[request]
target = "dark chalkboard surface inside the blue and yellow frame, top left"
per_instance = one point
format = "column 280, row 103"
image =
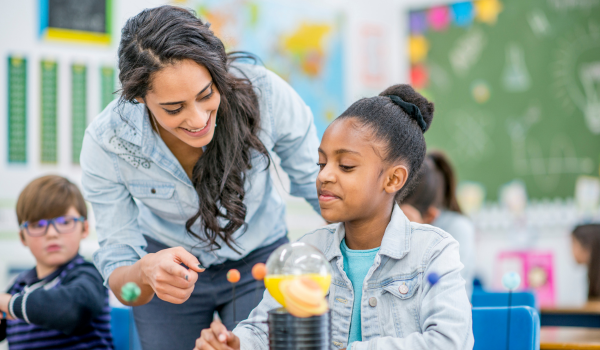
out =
column 82, row 15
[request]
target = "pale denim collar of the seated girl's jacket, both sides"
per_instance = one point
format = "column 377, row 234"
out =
column 395, row 243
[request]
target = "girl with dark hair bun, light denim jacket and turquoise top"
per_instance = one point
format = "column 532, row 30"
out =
column 379, row 297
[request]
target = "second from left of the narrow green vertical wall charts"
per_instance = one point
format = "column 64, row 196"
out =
column 48, row 106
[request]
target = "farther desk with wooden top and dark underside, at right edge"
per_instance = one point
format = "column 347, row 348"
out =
column 587, row 315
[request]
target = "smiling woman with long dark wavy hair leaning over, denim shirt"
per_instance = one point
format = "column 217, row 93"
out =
column 177, row 174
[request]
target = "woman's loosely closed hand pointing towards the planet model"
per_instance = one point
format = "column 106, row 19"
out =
column 170, row 281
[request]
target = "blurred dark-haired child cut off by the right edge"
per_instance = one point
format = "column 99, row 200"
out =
column 586, row 251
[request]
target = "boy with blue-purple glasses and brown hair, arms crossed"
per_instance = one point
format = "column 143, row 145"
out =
column 61, row 303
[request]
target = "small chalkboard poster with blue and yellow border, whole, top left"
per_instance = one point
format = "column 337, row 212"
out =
column 83, row 21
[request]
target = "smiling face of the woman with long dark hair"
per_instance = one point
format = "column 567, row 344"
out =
column 184, row 102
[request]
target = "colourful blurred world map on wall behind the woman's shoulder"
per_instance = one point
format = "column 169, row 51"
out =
column 303, row 45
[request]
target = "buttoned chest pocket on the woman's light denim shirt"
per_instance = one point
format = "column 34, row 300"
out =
column 159, row 197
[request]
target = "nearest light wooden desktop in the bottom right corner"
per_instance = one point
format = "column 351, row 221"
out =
column 569, row 338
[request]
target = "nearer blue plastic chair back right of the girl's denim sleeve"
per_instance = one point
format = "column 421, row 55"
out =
column 490, row 328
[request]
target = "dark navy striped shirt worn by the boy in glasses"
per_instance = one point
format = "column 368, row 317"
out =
column 66, row 310
